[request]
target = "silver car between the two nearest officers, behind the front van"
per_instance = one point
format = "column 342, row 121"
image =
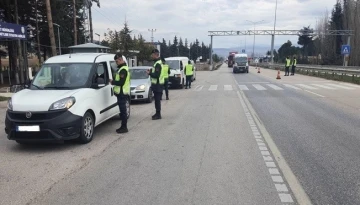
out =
column 140, row 84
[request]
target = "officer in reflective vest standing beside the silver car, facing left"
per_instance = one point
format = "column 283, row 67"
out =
column 157, row 82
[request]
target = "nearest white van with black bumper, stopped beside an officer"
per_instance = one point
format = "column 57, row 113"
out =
column 68, row 97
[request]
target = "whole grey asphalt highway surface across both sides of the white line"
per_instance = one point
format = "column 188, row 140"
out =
column 230, row 139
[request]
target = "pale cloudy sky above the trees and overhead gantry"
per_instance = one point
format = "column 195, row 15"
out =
column 193, row 19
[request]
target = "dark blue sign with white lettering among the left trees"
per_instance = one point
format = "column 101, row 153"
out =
column 12, row 31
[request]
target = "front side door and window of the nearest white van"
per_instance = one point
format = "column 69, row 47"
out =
column 105, row 92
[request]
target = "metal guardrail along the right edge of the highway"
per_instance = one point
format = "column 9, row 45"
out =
column 346, row 74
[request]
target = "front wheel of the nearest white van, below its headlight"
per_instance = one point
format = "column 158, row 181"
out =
column 87, row 128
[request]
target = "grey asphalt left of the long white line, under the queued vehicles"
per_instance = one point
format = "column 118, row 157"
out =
column 205, row 150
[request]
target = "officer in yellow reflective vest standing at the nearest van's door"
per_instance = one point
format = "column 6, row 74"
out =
column 121, row 84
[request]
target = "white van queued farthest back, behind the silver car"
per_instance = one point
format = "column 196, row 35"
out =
column 177, row 77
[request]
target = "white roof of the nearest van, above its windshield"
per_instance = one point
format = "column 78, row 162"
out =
column 77, row 58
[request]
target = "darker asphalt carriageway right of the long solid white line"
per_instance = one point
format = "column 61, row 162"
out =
column 316, row 128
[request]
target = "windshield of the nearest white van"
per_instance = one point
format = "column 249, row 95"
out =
column 62, row 76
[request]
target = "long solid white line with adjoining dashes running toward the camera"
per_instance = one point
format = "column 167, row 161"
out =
column 294, row 184
